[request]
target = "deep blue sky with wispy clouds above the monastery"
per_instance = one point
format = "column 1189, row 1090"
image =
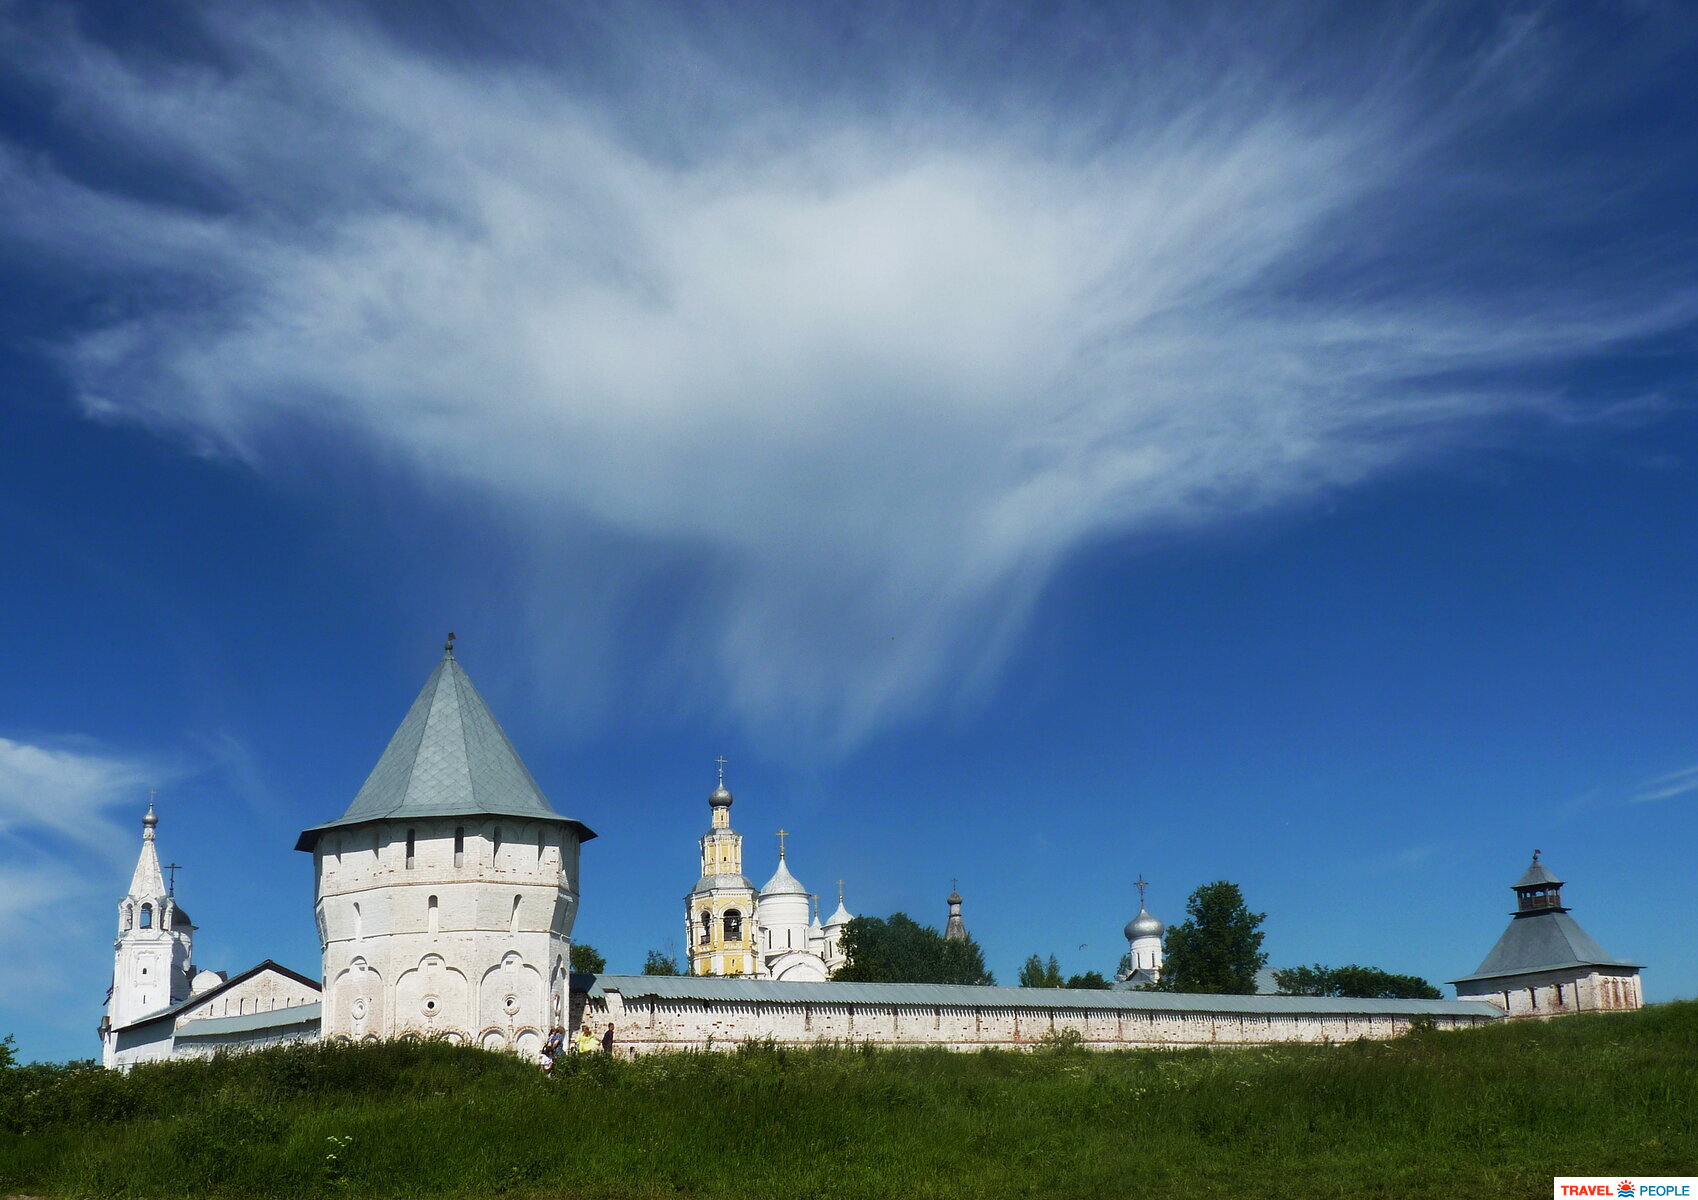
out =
column 1032, row 449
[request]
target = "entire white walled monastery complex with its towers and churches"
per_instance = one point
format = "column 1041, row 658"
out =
column 446, row 899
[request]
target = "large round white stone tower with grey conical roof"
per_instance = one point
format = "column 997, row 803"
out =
column 449, row 889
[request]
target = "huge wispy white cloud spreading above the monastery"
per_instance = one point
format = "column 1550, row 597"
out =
column 874, row 362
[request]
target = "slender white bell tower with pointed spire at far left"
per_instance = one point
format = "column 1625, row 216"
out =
column 154, row 950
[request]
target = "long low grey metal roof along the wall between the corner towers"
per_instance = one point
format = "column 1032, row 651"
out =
column 945, row 995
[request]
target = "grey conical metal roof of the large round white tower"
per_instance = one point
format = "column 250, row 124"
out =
column 449, row 760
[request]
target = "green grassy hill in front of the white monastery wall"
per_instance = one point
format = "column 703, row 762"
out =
column 1492, row 1113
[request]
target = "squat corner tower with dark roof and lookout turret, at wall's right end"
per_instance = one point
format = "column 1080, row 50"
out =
column 1546, row 965
